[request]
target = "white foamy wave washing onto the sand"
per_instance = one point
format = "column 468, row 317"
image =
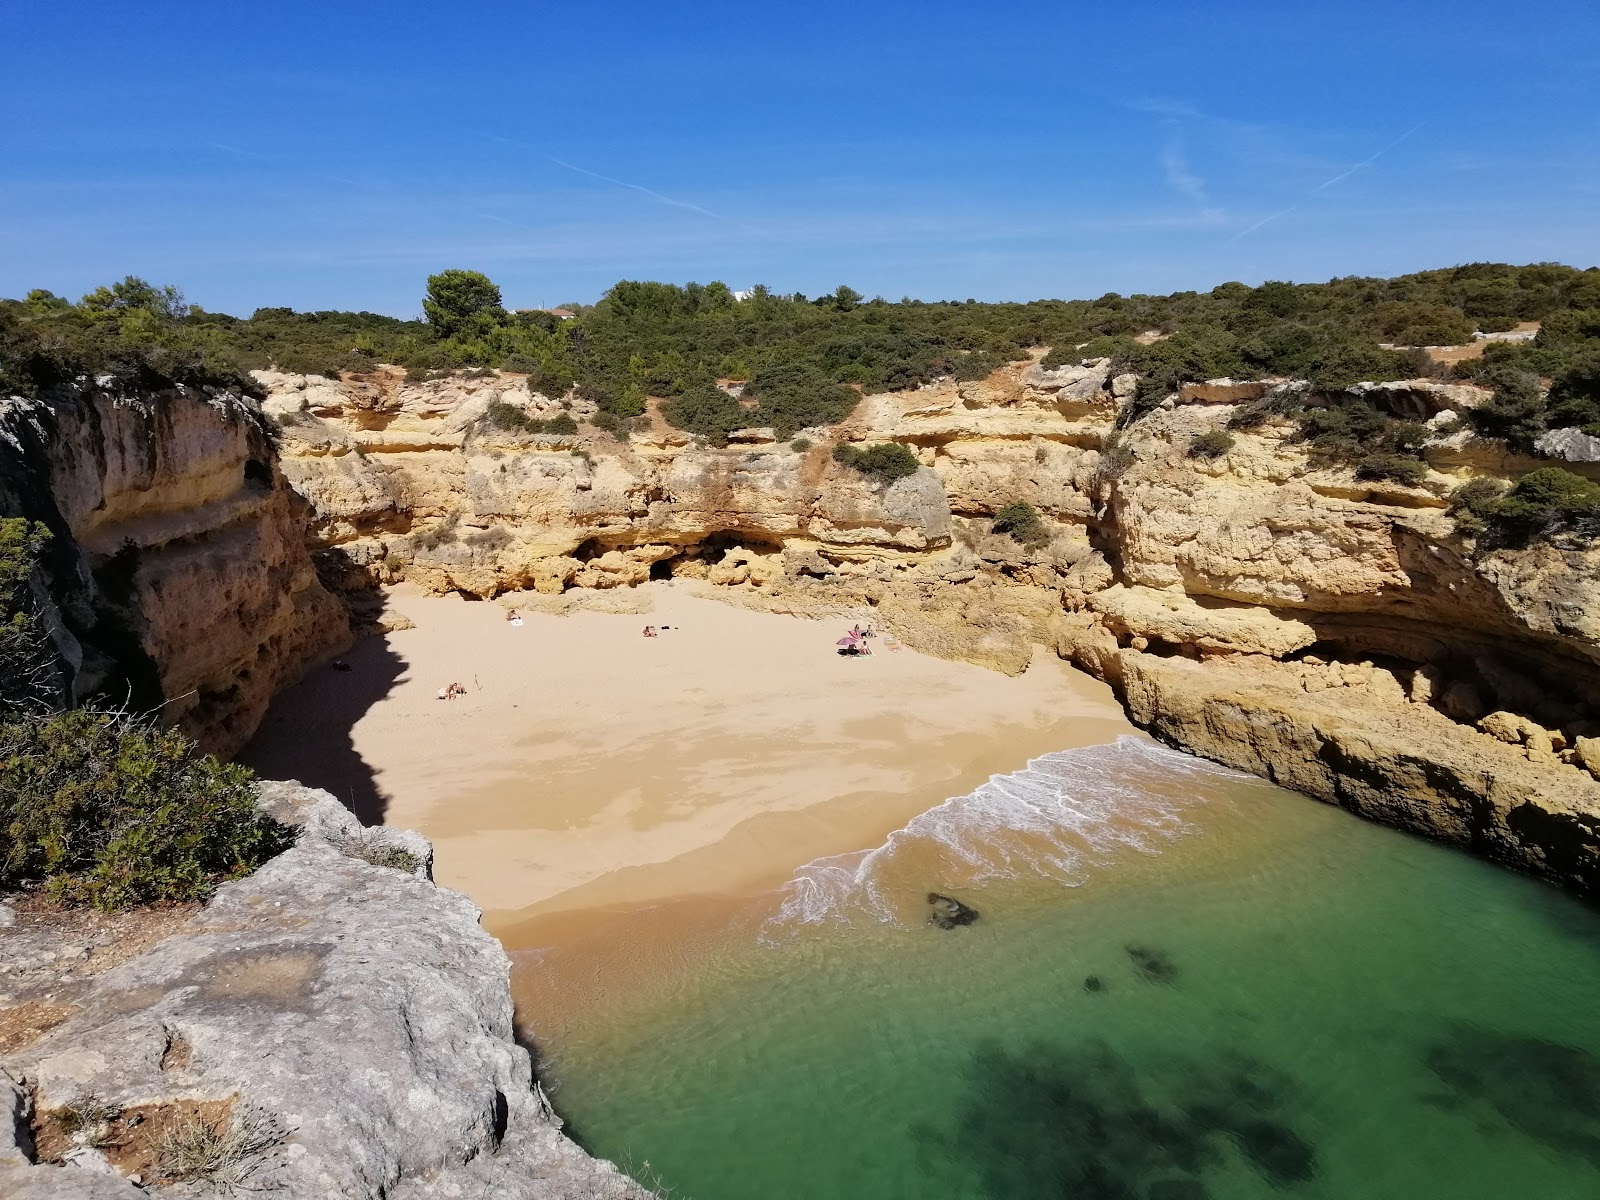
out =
column 1055, row 818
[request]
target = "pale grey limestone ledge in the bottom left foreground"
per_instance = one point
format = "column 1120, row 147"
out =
column 351, row 1017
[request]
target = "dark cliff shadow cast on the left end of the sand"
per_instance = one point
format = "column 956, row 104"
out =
column 318, row 746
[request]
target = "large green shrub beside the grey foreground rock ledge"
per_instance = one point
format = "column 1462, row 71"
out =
column 111, row 812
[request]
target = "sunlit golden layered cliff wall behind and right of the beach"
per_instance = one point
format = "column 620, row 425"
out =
column 1262, row 609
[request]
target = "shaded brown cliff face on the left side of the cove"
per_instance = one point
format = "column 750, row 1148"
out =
column 178, row 570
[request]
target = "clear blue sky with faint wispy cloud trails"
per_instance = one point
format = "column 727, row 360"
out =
column 330, row 156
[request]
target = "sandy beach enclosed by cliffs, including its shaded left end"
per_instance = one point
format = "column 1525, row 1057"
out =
column 590, row 769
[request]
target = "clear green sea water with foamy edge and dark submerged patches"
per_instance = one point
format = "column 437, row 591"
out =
column 1185, row 985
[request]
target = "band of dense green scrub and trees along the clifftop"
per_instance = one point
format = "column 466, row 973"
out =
column 806, row 362
